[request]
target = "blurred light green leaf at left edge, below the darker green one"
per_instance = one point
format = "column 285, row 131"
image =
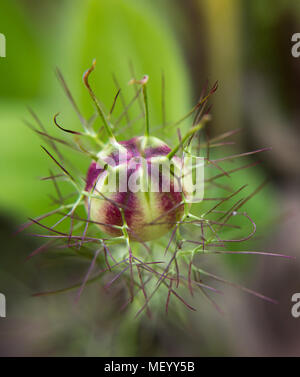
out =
column 21, row 164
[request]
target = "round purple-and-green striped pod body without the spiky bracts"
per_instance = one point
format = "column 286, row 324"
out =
column 135, row 177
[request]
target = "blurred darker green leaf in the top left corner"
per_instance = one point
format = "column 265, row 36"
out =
column 21, row 71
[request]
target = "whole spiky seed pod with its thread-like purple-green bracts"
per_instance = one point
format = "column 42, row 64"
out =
column 142, row 190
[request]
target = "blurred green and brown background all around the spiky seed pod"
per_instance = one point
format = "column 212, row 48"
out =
column 246, row 46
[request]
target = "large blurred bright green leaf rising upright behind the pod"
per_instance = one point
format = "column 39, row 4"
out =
column 117, row 33
